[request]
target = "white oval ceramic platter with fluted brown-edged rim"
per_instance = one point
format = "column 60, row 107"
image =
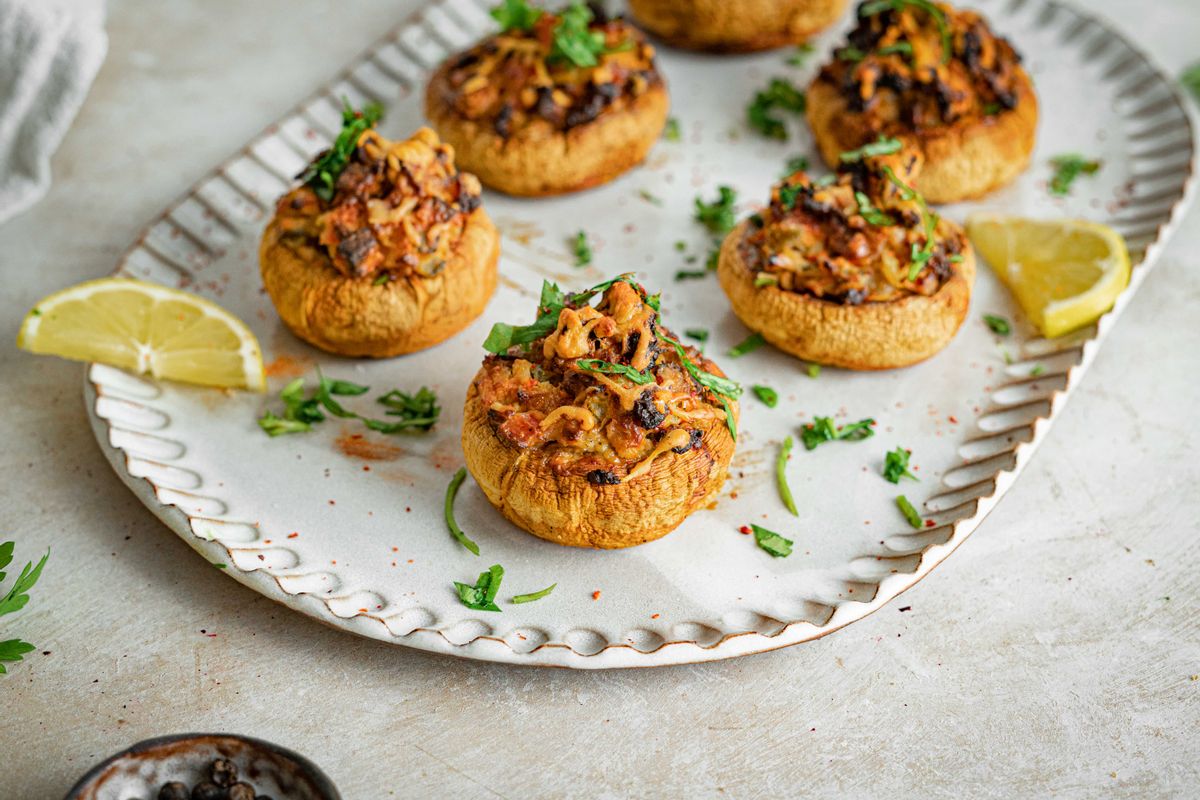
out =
column 351, row 532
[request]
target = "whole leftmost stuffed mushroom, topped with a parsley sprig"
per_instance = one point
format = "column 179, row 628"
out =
column 385, row 250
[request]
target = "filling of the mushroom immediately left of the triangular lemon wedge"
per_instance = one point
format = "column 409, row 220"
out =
column 867, row 237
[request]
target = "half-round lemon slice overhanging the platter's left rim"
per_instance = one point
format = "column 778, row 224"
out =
column 147, row 329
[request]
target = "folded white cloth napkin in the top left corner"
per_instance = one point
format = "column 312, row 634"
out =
column 50, row 51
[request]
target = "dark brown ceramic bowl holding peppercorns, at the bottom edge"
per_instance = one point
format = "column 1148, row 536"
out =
column 137, row 773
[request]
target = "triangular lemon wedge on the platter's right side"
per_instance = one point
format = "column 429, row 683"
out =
column 1066, row 274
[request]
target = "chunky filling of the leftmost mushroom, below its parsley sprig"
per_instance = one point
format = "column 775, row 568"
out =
column 398, row 209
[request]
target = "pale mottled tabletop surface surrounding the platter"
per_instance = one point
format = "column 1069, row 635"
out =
column 1054, row 654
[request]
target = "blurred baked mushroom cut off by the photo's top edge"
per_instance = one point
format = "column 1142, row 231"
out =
column 736, row 27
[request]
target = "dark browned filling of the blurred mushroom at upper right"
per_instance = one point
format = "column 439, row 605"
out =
column 913, row 65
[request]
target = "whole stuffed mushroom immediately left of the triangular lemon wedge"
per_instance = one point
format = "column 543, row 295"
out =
column 854, row 272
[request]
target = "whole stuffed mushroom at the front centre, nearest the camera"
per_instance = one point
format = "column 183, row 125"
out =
column 595, row 426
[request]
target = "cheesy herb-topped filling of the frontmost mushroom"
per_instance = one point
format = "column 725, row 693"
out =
column 607, row 390
